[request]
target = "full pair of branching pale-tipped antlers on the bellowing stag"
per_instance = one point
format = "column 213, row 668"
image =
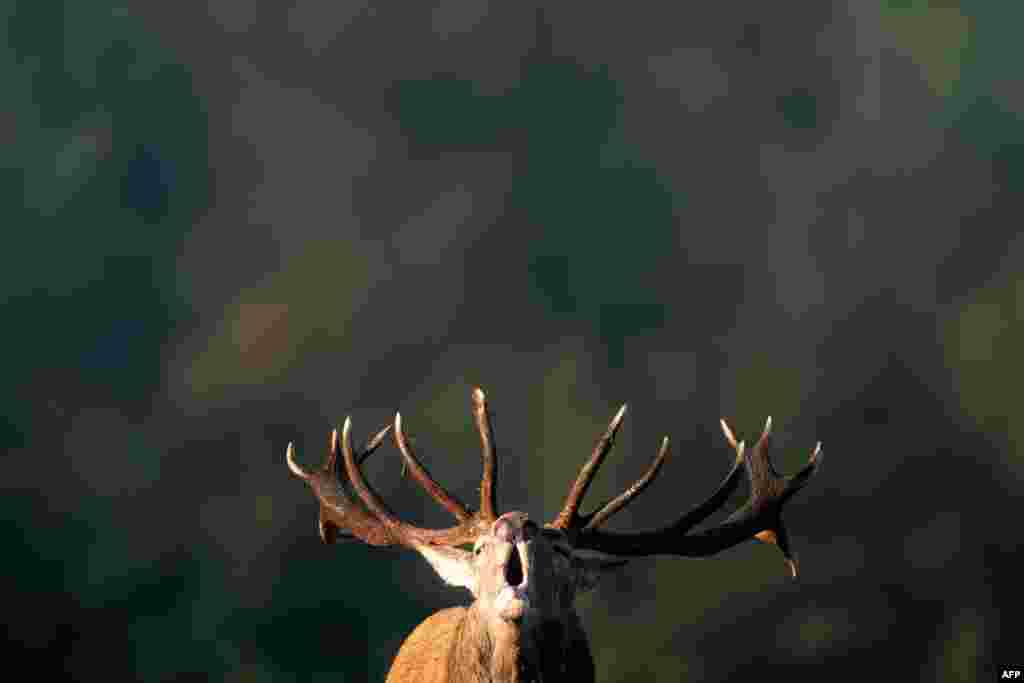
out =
column 369, row 519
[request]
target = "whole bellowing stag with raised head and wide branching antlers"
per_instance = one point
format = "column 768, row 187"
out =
column 522, row 626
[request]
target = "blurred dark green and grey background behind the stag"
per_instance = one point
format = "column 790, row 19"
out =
column 227, row 226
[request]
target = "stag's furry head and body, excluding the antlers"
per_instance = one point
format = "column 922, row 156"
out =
column 543, row 642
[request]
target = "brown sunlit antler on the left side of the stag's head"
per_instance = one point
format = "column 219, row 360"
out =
column 369, row 519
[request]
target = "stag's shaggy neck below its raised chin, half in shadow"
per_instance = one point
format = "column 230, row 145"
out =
column 530, row 652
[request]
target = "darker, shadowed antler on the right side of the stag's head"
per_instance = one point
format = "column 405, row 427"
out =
column 760, row 518
